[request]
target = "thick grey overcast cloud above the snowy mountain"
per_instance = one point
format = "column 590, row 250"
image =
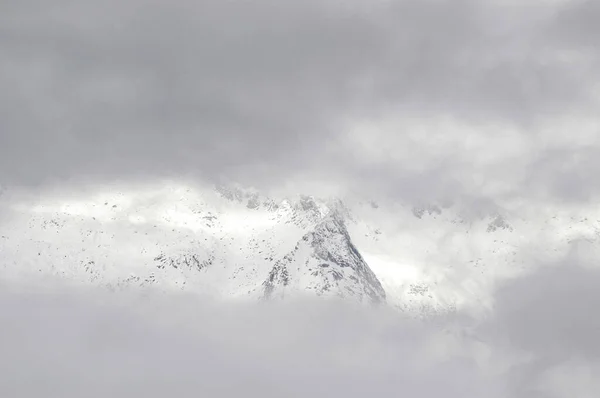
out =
column 406, row 98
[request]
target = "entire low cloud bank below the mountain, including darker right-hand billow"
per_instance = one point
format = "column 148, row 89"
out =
column 540, row 341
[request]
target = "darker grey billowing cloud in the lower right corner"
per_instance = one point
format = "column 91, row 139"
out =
column 547, row 319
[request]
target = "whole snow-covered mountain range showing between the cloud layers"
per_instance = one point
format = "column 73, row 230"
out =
column 233, row 242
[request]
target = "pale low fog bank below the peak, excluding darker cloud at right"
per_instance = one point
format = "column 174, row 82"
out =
column 92, row 343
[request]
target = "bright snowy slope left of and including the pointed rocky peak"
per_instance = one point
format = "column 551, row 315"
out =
column 226, row 242
